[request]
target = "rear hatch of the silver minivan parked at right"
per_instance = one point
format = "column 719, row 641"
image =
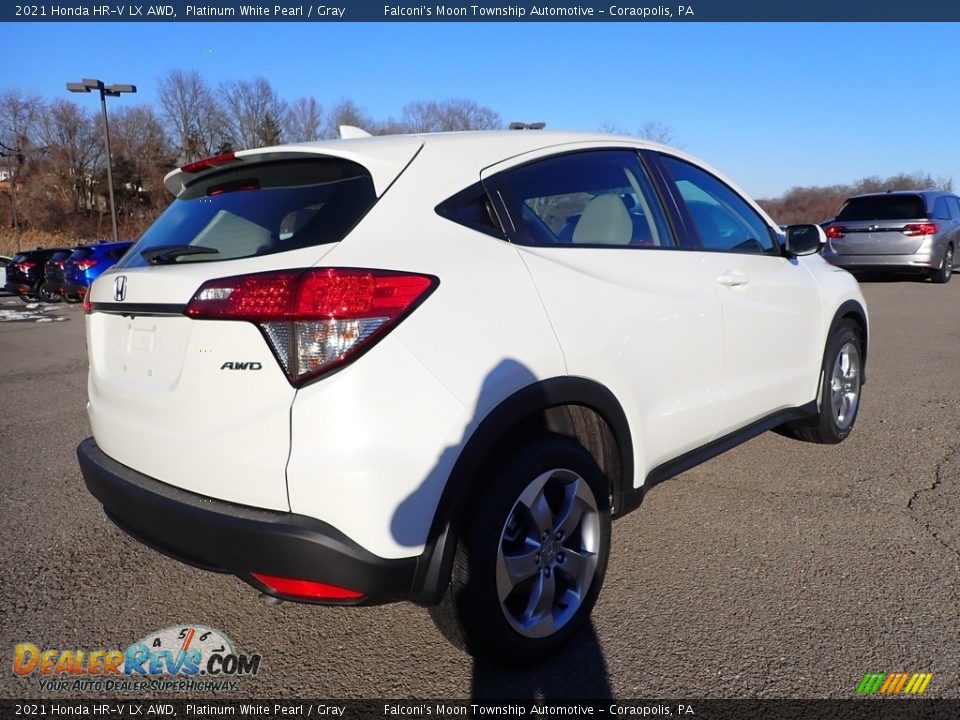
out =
column 891, row 224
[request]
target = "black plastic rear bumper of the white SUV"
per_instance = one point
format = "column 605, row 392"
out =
column 226, row 537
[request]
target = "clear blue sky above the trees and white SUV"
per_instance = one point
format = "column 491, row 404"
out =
column 771, row 105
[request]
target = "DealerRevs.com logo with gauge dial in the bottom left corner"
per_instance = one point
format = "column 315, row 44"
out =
column 181, row 658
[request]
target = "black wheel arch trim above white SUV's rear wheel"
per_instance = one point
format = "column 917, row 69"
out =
column 575, row 407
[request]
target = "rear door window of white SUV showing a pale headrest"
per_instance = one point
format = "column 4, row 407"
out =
column 596, row 198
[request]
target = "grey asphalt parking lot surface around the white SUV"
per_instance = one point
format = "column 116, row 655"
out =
column 780, row 569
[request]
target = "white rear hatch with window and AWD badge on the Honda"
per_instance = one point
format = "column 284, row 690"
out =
column 204, row 404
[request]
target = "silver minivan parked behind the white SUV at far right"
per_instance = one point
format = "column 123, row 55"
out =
column 896, row 231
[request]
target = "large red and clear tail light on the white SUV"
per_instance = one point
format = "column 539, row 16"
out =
column 314, row 319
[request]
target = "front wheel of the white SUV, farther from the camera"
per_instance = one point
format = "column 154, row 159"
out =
column 842, row 387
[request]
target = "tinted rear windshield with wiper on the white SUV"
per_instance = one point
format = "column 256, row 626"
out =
column 259, row 210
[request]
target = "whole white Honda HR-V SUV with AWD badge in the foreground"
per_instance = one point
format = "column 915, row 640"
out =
column 433, row 367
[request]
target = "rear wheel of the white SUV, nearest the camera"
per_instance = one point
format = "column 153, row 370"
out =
column 532, row 555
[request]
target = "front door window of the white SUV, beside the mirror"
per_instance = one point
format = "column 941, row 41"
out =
column 723, row 220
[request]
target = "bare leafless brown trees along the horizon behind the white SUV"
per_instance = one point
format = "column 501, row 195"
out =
column 53, row 184
